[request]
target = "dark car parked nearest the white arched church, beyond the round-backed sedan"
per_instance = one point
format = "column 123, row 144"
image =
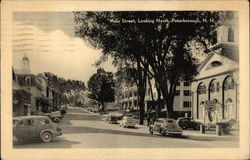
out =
column 186, row 123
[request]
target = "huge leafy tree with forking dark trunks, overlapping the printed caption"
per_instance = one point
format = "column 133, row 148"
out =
column 161, row 45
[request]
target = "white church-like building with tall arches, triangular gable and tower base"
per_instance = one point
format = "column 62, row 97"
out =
column 218, row 79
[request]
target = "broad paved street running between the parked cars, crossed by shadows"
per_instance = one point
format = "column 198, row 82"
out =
column 89, row 130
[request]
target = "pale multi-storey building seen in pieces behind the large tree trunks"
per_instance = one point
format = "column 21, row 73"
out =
column 182, row 101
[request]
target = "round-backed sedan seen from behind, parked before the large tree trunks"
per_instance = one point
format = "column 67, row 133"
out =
column 165, row 126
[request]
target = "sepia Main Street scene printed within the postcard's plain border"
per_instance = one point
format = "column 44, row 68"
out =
column 126, row 79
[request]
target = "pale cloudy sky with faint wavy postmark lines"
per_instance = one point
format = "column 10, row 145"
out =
column 47, row 38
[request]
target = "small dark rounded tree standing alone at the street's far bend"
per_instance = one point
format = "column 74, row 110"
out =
column 101, row 87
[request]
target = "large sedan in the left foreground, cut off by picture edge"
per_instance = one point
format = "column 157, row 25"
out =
column 34, row 128
